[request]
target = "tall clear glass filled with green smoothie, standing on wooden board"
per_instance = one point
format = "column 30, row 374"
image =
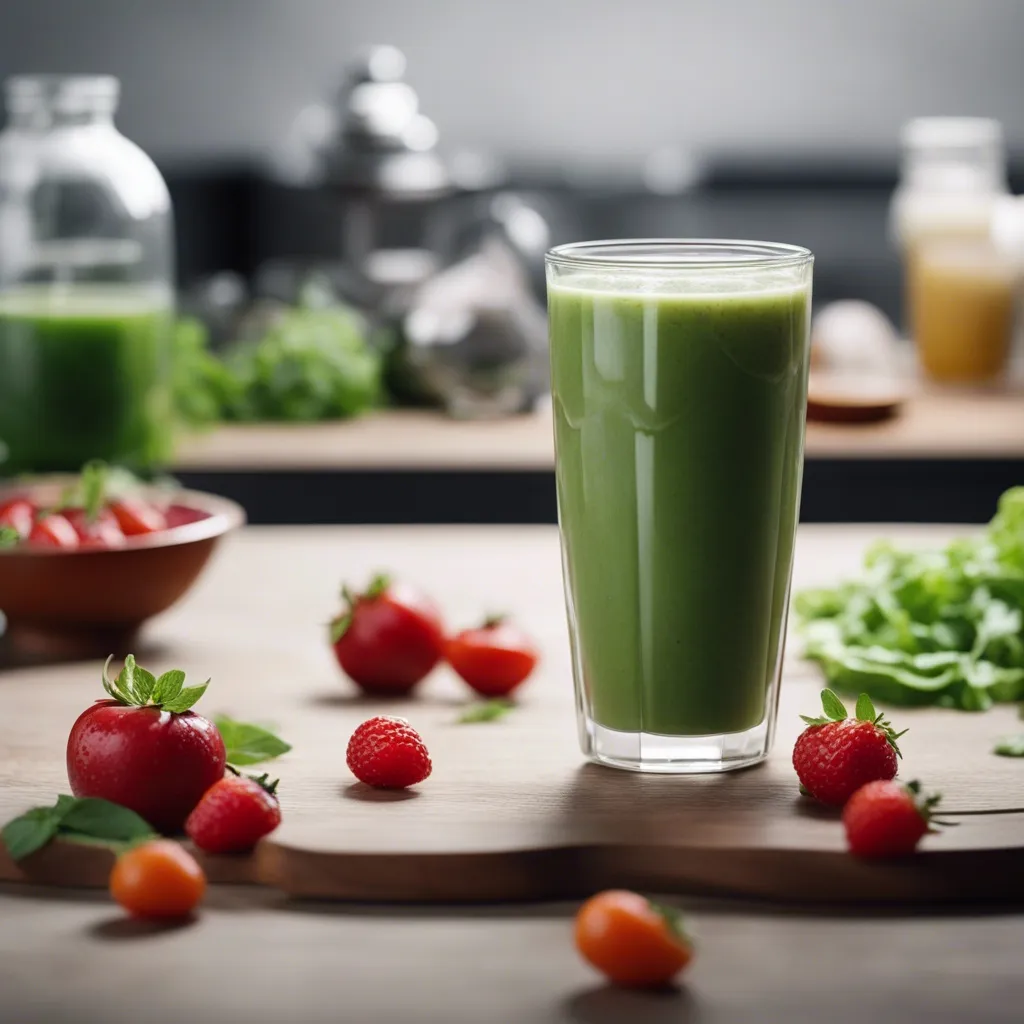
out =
column 679, row 382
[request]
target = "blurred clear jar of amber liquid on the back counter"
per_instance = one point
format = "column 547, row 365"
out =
column 960, row 289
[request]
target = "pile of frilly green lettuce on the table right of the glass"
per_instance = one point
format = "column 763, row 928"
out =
column 941, row 627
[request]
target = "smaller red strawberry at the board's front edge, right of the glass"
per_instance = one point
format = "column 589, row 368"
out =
column 887, row 820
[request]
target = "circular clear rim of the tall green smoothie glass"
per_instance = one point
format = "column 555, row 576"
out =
column 677, row 254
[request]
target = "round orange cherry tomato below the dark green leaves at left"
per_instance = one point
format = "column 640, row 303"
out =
column 158, row 880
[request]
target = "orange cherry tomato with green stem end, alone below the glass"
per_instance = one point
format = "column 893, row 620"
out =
column 631, row 941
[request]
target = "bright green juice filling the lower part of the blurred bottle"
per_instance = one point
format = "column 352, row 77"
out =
column 84, row 376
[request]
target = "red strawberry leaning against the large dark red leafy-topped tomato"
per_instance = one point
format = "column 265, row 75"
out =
column 235, row 815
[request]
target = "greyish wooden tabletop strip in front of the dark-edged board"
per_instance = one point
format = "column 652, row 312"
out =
column 252, row 958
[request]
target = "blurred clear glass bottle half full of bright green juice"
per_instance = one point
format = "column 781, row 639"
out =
column 87, row 291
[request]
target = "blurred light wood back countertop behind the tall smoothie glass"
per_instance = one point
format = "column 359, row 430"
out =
column 933, row 425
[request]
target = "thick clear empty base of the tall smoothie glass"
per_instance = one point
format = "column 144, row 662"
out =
column 646, row 752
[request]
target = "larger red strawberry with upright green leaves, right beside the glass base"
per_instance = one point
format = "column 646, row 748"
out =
column 837, row 755
